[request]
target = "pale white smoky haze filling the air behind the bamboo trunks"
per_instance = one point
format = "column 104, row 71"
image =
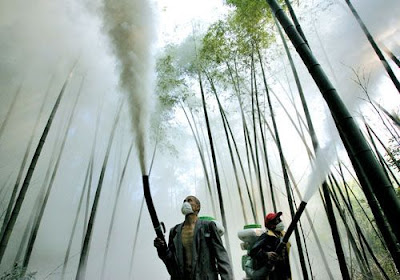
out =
column 40, row 42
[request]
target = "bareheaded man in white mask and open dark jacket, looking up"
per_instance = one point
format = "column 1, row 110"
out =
column 195, row 250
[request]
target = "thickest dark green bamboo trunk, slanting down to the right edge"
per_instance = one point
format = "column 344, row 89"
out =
column 363, row 160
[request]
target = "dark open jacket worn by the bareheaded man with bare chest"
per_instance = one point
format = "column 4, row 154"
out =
column 209, row 257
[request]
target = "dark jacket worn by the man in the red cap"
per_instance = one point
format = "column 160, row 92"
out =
column 268, row 242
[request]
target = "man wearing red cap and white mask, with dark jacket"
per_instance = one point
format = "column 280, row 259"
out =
column 267, row 263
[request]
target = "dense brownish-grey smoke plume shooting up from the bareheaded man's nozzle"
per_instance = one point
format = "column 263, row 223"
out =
column 130, row 27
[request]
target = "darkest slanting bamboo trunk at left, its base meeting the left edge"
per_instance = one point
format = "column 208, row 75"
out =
column 21, row 196
